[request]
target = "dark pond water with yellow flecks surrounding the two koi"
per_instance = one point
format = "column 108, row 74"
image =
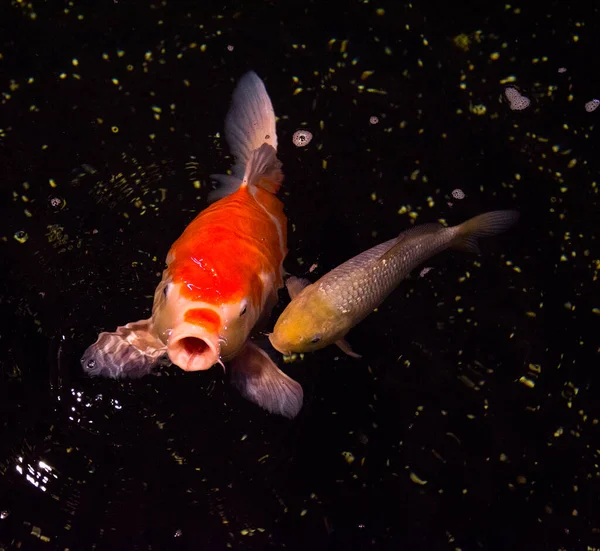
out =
column 471, row 422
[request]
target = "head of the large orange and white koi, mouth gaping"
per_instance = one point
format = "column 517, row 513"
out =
column 198, row 327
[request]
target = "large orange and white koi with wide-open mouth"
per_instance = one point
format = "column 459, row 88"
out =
column 222, row 274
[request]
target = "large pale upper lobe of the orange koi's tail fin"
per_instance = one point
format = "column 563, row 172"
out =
column 249, row 124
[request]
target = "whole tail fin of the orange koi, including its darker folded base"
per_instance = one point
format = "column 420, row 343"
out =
column 249, row 127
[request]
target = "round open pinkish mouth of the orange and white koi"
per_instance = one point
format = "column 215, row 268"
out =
column 192, row 349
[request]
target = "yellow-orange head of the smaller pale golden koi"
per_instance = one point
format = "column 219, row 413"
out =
column 307, row 324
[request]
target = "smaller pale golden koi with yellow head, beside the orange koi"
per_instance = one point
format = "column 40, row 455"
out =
column 321, row 313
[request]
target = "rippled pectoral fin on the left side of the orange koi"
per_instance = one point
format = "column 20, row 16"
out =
column 132, row 351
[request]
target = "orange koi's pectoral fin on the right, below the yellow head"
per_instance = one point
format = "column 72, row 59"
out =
column 260, row 381
